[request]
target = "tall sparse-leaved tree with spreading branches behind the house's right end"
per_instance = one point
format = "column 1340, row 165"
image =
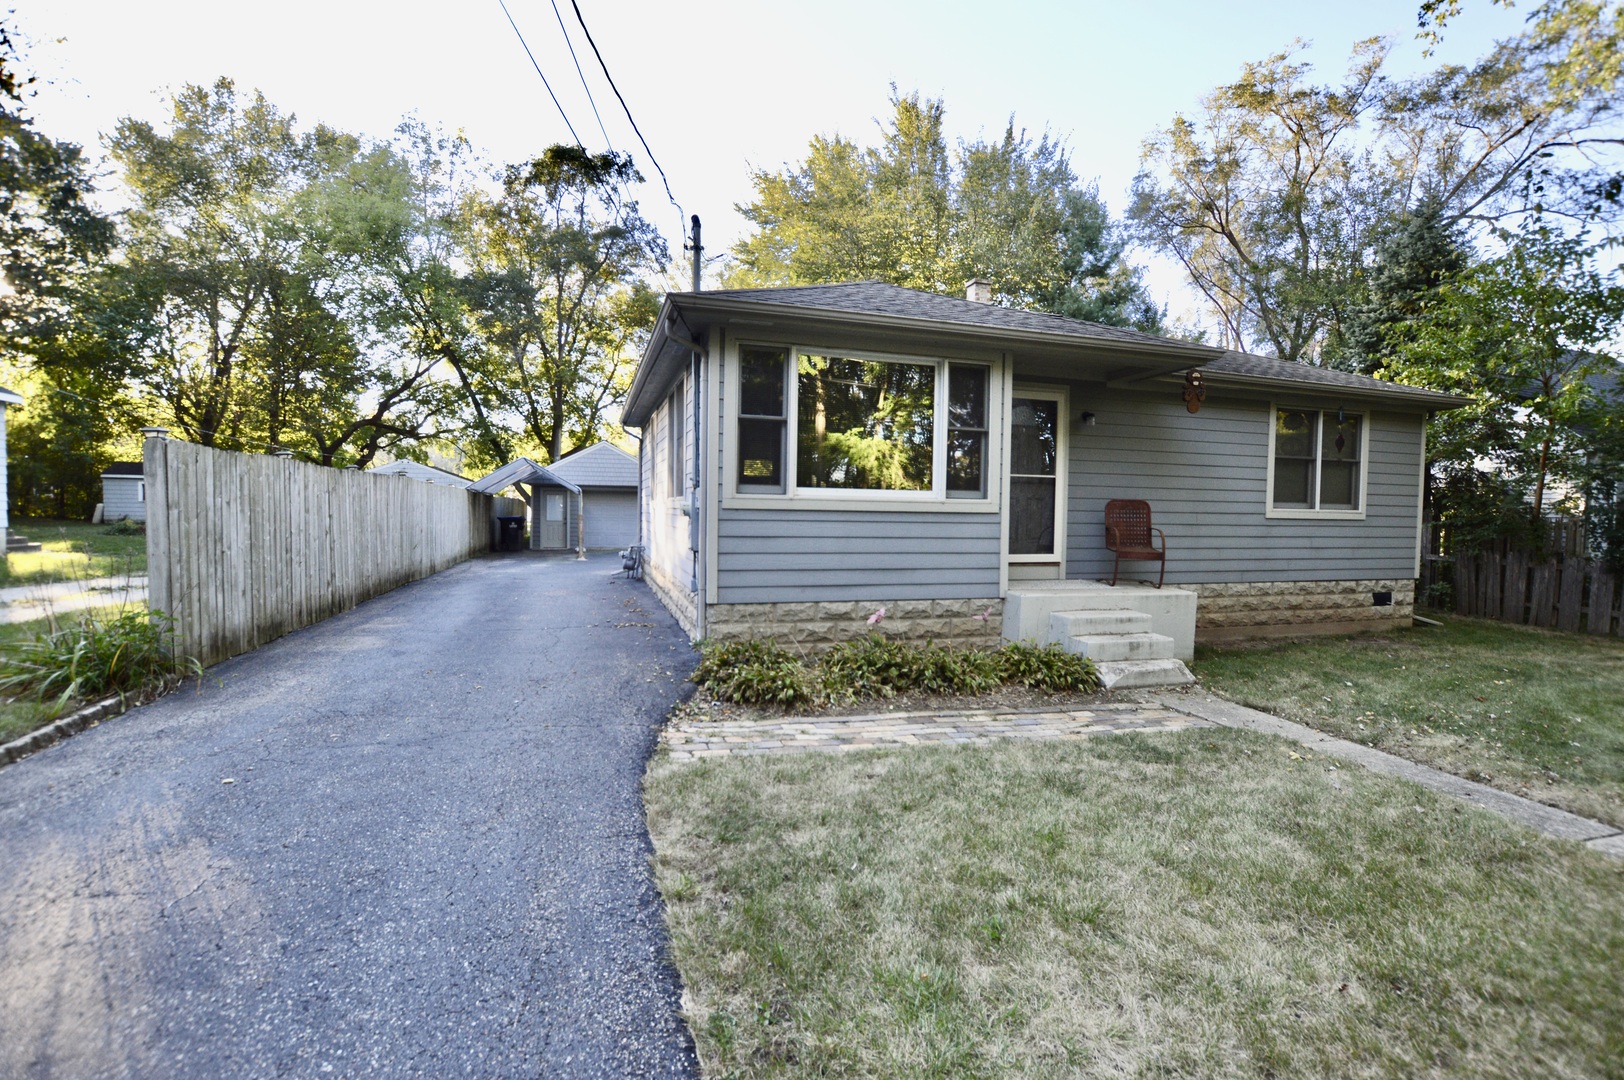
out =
column 1279, row 194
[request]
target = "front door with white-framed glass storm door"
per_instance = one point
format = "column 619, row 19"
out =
column 1037, row 519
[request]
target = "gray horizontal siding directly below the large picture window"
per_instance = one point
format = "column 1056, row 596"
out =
column 792, row 556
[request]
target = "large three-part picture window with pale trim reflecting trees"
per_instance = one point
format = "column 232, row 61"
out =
column 821, row 423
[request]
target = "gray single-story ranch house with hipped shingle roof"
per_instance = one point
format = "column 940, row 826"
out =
column 816, row 454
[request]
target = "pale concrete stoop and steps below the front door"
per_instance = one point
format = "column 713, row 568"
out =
column 1138, row 637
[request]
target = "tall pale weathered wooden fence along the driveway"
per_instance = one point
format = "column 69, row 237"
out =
column 246, row 548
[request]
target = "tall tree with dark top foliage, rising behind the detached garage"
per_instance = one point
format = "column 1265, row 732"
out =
column 559, row 262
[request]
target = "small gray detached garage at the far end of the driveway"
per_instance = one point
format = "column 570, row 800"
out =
column 587, row 499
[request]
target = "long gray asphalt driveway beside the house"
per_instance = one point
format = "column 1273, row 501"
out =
column 404, row 842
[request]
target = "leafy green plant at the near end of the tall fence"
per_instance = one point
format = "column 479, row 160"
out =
column 92, row 657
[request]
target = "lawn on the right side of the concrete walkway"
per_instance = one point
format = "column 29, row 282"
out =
column 1534, row 712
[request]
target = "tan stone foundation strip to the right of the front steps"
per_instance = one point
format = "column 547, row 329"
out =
column 1238, row 610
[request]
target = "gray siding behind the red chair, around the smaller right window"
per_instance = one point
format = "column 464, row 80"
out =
column 1206, row 478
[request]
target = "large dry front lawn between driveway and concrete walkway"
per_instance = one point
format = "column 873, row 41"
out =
column 1193, row 905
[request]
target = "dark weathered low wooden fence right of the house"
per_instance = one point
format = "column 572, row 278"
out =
column 1570, row 595
